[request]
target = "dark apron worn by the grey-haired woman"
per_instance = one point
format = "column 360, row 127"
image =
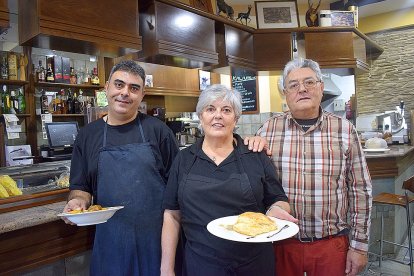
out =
column 203, row 199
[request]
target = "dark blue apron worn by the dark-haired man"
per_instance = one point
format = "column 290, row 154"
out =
column 130, row 242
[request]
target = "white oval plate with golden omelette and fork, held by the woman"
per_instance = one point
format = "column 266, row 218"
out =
column 252, row 227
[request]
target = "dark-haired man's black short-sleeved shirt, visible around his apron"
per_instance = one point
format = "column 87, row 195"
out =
column 84, row 165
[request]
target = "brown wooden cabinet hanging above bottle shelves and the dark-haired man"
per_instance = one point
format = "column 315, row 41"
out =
column 103, row 28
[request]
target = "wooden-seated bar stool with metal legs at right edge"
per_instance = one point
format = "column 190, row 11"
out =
column 403, row 201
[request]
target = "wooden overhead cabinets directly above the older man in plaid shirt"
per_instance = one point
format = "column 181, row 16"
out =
column 331, row 47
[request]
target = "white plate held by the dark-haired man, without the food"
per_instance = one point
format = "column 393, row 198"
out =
column 91, row 218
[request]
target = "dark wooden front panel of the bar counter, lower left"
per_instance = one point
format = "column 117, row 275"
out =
column 32, row 247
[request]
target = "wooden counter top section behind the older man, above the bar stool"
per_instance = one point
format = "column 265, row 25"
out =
column 390, row 163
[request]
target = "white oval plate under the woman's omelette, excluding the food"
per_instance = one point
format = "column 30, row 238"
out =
column 217, row 228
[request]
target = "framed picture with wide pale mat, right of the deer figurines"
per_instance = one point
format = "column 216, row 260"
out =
column 276, row 14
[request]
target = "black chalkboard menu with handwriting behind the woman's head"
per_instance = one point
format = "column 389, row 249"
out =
column 244, row 80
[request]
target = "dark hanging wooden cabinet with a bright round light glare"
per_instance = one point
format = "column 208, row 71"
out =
column 174, row 36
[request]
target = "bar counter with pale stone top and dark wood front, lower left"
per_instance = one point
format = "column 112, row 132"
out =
column 33, row 237
